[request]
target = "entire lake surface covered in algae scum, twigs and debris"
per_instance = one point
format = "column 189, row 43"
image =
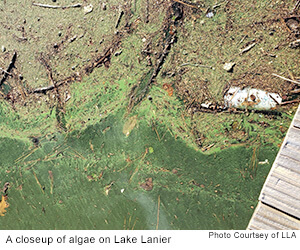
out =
column 101, row 123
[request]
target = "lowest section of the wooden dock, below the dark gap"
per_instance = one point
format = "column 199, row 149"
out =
column 267, row 218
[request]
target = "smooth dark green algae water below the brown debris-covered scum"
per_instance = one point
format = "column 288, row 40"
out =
column 92, row 179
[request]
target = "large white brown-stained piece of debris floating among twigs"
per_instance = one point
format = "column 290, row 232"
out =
column 251, row 98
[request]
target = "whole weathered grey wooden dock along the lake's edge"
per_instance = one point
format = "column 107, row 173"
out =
column 279, row 200
